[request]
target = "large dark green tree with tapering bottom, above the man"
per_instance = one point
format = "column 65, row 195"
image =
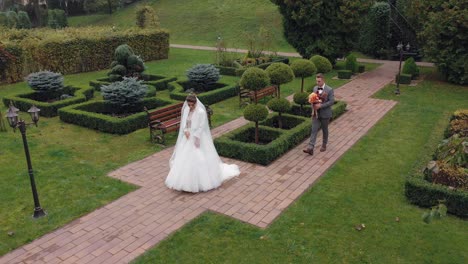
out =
column 322, row 27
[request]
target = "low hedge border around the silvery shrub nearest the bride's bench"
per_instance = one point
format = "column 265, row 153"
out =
column 97, row 115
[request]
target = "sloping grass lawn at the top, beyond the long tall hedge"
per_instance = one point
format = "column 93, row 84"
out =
column 200, row 22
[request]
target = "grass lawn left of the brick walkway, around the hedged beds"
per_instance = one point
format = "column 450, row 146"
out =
column 71, row 162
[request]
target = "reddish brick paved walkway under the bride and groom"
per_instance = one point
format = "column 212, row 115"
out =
column 127, row 227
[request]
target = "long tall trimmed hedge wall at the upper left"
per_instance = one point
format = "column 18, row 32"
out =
column 74, row 50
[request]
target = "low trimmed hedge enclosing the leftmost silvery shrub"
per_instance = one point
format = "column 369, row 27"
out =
column 26, row 100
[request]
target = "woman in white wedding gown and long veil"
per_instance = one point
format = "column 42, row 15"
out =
column 195, row 164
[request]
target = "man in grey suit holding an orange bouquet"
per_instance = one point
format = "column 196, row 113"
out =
column 324, row 115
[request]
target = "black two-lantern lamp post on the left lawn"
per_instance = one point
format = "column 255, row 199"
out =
column 12, row 116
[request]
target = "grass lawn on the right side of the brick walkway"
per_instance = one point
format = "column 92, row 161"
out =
column 365, row 186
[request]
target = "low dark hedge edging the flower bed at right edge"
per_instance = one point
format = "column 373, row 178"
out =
column 426, row 194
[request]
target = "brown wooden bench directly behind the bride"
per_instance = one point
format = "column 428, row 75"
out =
column 167, row 119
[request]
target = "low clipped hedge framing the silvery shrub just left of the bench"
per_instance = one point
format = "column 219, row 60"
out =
column 105, row 123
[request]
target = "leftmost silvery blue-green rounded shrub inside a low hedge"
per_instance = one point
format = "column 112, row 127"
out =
column 45, row 81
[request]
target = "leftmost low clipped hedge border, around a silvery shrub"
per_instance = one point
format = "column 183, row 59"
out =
column 49, row 109
